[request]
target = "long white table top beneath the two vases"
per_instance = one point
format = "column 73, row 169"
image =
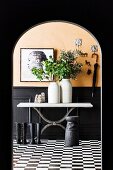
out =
column 32, row 104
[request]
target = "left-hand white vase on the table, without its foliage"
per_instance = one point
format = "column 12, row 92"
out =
column 53, row 93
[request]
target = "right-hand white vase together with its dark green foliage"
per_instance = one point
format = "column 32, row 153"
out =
column 67, row 68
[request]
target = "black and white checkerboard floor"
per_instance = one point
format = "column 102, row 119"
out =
column 53, row 155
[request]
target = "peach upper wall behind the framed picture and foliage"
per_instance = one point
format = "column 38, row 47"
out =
column 58, row 35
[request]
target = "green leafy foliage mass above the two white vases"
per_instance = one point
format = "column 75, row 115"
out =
column 65, row 67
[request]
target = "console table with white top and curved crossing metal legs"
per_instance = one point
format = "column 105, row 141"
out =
column 70, row 107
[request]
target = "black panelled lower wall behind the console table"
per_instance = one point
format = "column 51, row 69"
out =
column 89, row 118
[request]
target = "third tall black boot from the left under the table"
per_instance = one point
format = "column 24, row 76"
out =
column 32, row 133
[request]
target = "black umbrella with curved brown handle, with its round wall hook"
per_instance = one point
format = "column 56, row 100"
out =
column 94, row 49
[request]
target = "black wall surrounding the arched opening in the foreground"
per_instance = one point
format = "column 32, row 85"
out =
column 18, row 15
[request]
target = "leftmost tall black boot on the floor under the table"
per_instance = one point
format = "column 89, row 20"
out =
column 18, row 132
